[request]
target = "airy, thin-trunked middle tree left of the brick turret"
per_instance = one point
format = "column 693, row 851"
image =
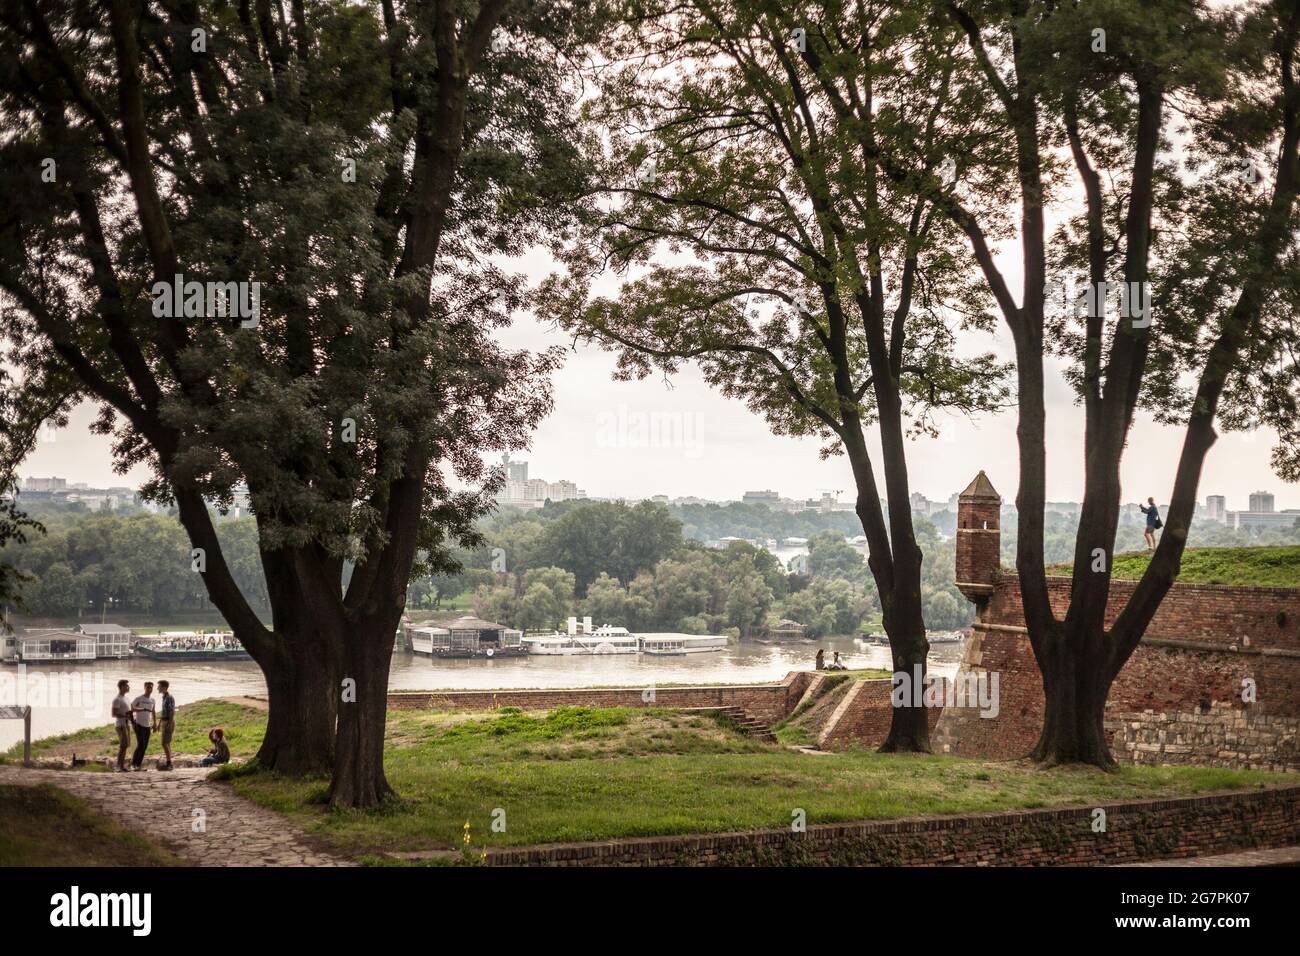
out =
column 760, row 244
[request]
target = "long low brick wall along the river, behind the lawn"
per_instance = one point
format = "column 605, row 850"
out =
column 769, row 703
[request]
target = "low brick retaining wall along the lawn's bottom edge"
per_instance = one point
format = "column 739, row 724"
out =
column 1136, row 832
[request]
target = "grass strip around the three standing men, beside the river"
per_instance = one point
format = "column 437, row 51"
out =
column 244, row 729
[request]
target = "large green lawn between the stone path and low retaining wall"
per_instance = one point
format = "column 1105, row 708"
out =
column 587, row 775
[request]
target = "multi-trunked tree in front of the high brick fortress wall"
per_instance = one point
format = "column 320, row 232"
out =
column 1164, row 139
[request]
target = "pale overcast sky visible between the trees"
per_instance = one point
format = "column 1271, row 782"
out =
column 601, row 436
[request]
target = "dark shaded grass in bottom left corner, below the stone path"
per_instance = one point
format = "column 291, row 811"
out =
column 45, row 827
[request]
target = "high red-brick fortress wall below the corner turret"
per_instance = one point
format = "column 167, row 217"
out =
column 1178, row 700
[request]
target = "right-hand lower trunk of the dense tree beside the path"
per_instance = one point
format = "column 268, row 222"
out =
column 359, row 780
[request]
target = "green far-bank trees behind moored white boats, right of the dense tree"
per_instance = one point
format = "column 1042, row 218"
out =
column 635, row 566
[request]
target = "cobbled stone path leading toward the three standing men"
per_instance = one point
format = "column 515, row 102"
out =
column 206, row 824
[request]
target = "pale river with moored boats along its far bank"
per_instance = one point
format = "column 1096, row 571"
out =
column 68, row 698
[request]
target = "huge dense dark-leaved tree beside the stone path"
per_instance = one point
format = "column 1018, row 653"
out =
column 365, row 163
